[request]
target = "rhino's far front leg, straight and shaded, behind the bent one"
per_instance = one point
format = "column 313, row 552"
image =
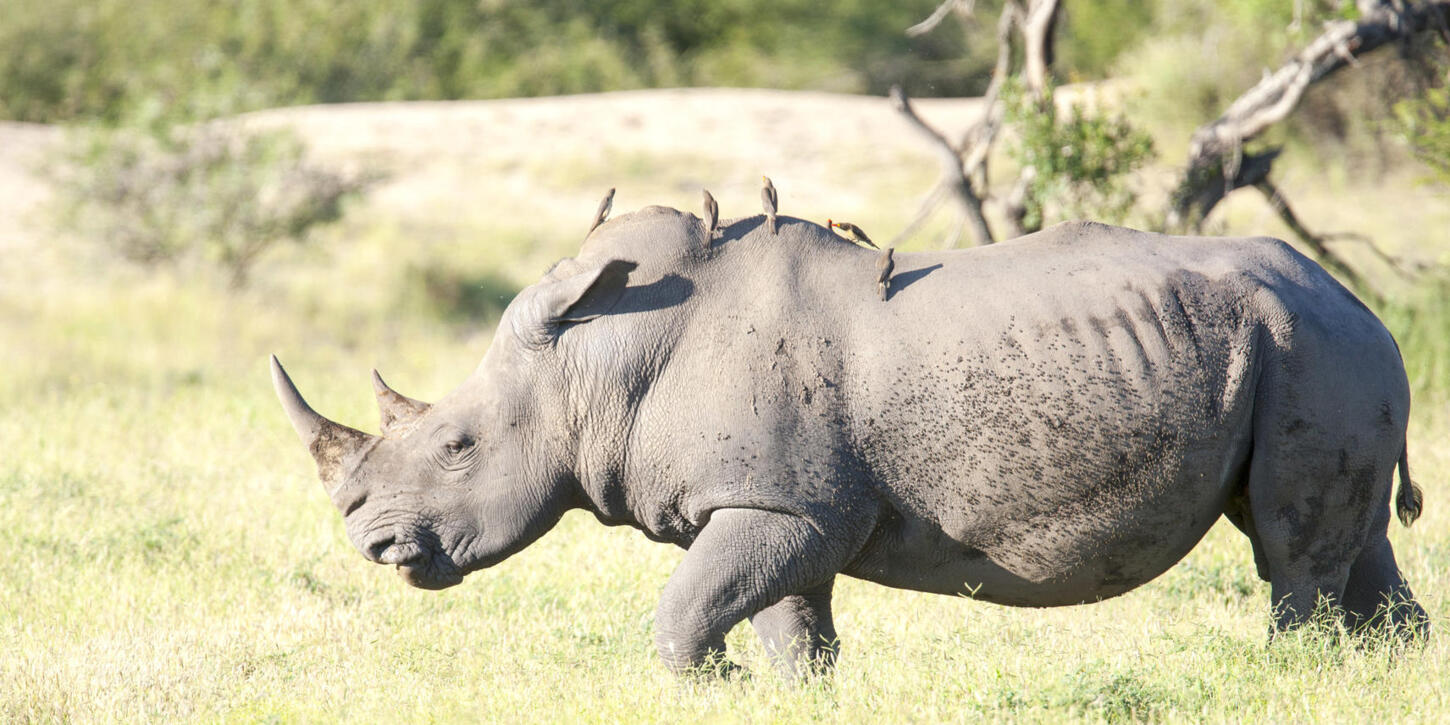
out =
column 798, row 631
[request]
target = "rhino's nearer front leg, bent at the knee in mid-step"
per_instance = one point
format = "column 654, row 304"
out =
column 743, row 563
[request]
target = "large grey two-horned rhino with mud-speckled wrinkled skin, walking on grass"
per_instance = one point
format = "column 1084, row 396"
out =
column 1049, row 421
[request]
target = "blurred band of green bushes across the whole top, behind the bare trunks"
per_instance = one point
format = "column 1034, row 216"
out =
column 88, row 60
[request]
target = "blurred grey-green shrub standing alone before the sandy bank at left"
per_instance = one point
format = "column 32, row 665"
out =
column 205, row 194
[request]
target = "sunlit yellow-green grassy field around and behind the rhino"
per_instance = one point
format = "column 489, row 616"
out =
column 173, row 558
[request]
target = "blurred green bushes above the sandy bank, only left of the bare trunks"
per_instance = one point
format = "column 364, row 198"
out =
column 88, row 60
